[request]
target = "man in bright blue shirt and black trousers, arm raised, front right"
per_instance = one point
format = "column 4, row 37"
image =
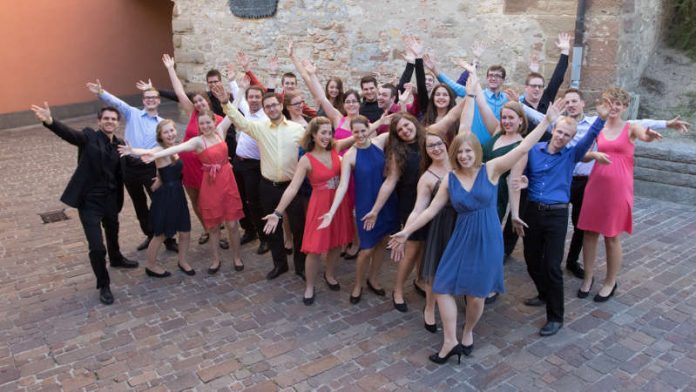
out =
column 550, row 171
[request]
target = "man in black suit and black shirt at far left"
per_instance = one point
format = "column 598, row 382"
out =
column 95, row 189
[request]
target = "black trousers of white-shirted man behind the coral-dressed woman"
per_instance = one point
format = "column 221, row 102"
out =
column 248, row 175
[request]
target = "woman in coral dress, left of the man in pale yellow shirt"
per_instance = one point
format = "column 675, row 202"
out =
column 219, row 200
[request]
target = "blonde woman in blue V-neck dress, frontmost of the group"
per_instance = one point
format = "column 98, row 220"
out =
column 472, row 264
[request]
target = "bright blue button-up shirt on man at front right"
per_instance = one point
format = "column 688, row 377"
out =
column 550, row 175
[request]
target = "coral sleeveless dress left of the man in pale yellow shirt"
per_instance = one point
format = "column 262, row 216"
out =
column 219, row 199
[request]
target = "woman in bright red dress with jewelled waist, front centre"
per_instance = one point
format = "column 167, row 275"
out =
column 322, row 165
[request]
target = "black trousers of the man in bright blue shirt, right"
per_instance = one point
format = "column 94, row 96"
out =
column 544, row 241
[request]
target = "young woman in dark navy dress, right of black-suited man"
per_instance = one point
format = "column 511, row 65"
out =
column 169, row 210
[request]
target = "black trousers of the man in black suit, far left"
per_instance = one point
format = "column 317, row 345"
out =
column 101, row 210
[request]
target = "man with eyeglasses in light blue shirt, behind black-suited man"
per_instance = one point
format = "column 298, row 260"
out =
column 140, row 132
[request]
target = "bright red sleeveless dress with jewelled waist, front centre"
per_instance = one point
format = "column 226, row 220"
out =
column 324, row 182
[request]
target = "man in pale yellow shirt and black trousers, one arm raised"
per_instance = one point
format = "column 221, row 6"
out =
column 278, row 141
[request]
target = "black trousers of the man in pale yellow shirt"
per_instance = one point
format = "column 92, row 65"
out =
column 270, row 196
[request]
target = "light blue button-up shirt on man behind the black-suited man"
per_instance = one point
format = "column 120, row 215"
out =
column 141, row 128
